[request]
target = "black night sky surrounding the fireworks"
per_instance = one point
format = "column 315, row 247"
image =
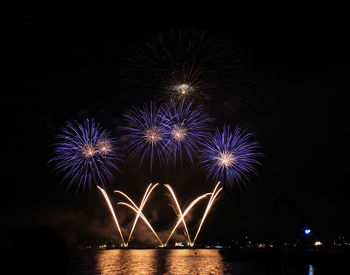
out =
column 66, row 66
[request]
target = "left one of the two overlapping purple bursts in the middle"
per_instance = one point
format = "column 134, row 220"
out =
column 146, row 133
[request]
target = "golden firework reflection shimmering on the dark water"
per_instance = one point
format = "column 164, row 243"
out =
column 159, row 261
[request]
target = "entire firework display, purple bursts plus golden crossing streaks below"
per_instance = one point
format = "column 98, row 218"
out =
column 177, row 72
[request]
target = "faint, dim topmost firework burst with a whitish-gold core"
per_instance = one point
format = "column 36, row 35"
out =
column 184, row 64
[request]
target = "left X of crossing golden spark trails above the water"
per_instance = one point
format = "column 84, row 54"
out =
column 138, row 210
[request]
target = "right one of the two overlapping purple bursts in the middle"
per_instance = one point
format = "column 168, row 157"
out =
column 187, row 128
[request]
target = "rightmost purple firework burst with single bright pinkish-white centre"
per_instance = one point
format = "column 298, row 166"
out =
column 230, row 156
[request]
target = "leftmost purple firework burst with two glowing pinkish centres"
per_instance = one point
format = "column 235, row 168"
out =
column 85, row 154
